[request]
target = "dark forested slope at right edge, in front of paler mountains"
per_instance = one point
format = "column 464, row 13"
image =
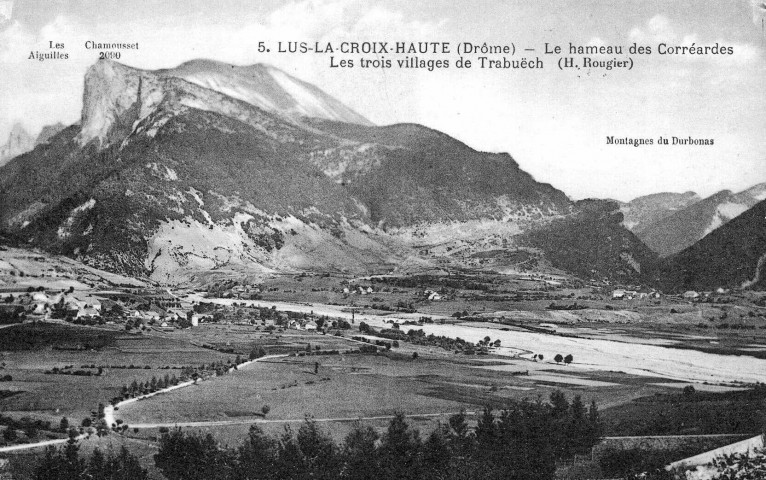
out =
column 733, row 255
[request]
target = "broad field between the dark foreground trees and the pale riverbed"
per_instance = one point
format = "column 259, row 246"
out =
column 359, row 386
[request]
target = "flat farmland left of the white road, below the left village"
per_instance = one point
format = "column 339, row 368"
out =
column 51, row 396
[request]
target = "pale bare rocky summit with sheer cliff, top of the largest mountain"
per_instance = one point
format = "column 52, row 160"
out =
column 116, row 96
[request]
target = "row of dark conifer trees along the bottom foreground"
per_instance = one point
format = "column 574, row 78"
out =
column 521, row 442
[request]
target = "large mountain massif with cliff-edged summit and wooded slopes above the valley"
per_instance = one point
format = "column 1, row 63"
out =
column 173, row 174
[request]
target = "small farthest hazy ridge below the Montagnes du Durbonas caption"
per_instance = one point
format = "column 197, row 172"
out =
column 643, row 211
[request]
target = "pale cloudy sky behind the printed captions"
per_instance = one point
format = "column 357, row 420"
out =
column 554, row 123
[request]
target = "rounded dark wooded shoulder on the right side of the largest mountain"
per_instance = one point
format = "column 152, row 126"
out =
column 408, row 174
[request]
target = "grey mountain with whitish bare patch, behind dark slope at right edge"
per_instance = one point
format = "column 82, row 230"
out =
column 687, row 226
